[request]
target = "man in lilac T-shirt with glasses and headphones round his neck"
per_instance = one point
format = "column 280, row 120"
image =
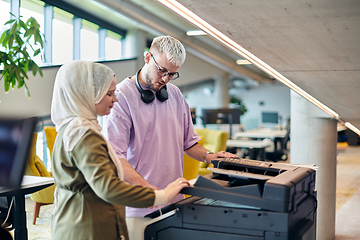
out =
column 150, row 134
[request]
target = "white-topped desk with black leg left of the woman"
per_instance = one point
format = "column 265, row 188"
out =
column 30, row 184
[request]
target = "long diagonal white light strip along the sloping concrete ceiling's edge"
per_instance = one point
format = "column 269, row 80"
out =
column 197, row 21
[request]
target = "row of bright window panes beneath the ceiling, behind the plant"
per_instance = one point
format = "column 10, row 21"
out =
column 63, row 35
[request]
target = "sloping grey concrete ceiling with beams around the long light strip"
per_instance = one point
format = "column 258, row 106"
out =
column 314, row 43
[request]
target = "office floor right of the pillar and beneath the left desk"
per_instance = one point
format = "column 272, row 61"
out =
column 347, row 201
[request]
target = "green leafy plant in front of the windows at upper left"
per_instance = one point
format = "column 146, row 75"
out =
column 22, row 42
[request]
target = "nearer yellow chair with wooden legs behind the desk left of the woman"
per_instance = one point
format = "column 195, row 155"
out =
column 36, row 167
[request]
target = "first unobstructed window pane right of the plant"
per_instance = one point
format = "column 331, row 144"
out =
column 62, row 37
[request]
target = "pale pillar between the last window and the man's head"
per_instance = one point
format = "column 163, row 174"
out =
column 134, row 45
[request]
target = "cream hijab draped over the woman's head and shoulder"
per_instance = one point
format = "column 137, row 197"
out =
column 79, row 85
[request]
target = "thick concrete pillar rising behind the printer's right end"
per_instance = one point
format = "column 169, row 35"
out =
column 313, row 141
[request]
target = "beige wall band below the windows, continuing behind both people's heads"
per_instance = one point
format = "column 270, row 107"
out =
column 16, row 103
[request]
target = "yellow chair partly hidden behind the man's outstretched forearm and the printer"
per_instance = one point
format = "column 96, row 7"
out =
column 215, row 141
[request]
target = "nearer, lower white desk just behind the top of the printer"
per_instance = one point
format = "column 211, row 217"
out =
column 256, row 148
